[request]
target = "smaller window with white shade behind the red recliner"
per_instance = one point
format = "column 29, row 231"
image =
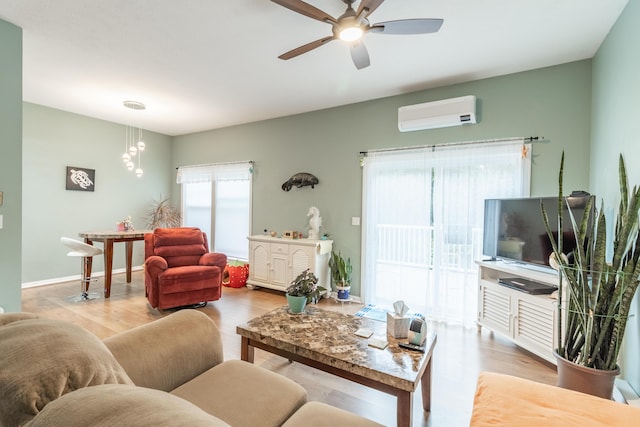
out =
column 217, row 199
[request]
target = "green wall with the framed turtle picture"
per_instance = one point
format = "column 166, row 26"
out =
column 55, row 139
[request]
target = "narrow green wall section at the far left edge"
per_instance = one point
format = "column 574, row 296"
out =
column 10, row 165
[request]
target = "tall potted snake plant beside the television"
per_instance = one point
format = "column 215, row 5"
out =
column 600, row 290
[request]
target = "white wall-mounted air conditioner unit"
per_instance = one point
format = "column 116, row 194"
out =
column 437, row 114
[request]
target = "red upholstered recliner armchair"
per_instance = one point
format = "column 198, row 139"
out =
column 179, row 269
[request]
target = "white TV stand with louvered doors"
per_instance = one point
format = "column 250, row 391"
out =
column 530, row 321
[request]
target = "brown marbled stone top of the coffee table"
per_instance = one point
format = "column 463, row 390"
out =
column 328, row 337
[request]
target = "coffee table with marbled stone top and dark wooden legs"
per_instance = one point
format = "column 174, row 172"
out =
column 325, row 339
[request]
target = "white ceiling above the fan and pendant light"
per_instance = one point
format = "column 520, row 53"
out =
column 204, row 64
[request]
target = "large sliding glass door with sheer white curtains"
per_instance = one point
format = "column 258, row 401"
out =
column 422, row 222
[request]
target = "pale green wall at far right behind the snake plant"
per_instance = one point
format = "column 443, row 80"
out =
column 615, row 130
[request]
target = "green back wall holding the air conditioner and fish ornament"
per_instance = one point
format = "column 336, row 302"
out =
column 551, row 102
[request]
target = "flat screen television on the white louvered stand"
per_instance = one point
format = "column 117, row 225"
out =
column 514, row 229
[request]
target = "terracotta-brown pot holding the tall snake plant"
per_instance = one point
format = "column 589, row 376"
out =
column 595, row 382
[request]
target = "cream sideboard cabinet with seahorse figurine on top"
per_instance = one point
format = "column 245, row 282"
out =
column 274, row 262
